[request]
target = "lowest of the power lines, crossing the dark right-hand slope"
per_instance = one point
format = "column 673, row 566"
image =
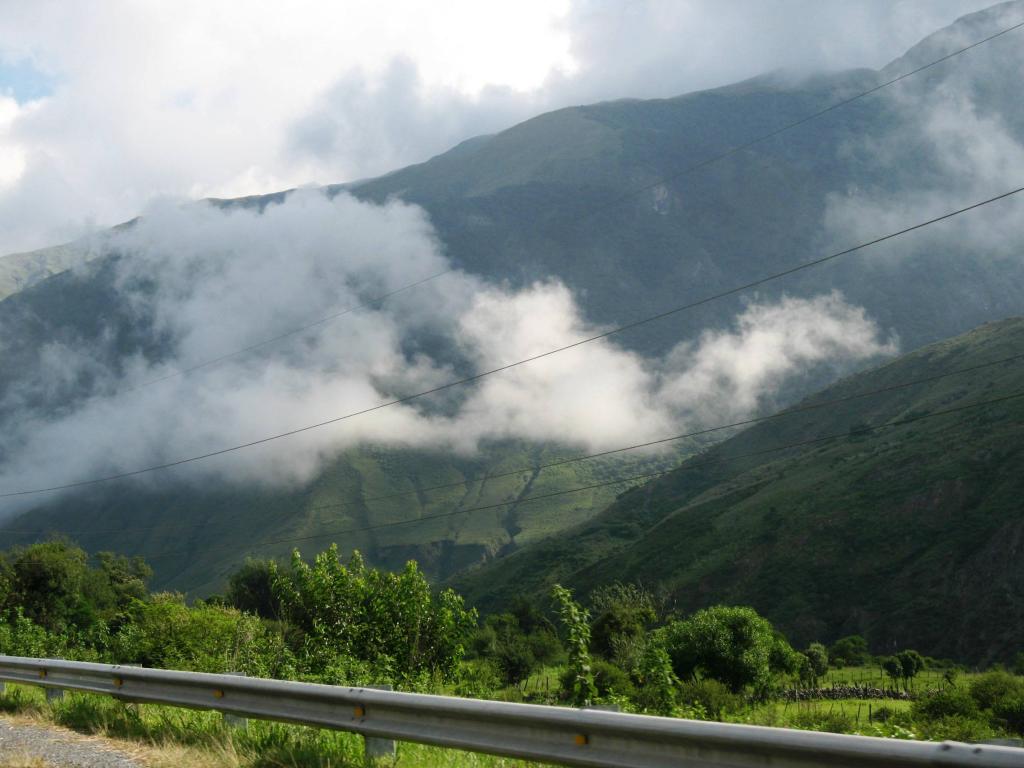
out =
column 650, row 476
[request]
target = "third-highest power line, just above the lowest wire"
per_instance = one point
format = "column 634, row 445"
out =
column 574, row 460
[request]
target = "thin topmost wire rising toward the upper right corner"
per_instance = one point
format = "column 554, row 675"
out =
column 599, row 209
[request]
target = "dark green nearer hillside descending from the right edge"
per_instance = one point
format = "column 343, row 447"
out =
column 912, row 536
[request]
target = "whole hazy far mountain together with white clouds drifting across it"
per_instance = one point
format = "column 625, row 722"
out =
column 557, row 229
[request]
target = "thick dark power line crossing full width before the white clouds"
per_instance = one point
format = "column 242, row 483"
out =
column 532, row 359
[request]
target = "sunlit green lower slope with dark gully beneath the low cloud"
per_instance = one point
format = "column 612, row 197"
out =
column 196, row 536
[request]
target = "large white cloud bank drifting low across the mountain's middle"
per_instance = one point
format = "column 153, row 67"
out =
column 203, row 281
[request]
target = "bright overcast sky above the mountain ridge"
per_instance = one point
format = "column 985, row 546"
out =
column 109, row 105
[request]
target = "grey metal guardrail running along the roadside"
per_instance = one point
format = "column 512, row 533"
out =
column 548, row 735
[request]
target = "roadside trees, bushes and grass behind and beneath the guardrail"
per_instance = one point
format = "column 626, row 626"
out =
column 350, row 624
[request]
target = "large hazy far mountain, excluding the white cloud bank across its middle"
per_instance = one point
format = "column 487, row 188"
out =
column 604, row 198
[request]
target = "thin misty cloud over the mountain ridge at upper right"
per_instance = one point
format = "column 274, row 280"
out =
column 946, row 145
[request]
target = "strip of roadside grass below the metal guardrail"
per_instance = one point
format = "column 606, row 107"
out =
column 177, row 738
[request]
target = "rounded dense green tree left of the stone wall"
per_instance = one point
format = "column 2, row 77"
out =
column 733, row 646
